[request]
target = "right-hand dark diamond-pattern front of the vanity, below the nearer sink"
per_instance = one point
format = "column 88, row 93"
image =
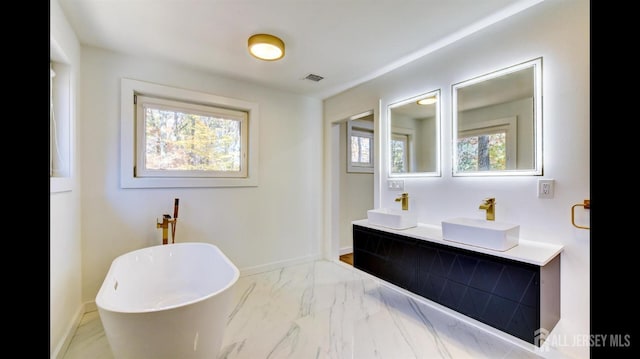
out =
column 496, row 291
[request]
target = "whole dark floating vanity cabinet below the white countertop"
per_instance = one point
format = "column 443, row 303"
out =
column 515, row 297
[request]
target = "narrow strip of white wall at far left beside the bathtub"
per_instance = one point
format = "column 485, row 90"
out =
column 65, row 301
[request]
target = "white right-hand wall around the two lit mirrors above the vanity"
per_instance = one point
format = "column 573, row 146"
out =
column 557, row 30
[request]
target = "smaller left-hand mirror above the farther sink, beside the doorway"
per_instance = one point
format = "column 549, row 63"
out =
column 414, row 136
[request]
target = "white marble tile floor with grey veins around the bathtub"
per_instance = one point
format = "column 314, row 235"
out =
column 323, row 309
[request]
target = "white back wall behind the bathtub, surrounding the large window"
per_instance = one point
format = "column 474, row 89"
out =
column 256, row 227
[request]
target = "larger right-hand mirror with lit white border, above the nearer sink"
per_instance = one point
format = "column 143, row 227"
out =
column 497, row 122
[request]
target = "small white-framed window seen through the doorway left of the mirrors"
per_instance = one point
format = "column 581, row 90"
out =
column 360, row 145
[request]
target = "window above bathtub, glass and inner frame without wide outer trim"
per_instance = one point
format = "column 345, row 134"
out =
column 186, row 140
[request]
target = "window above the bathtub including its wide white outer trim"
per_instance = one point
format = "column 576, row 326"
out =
column 180, row 138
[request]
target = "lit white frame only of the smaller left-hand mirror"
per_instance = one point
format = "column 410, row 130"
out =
column 438, row 135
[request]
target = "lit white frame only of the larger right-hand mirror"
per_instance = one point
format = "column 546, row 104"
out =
column 537, row 169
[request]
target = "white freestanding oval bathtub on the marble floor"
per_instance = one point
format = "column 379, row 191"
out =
column 167, row 301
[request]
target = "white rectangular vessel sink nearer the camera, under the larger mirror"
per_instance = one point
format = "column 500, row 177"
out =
column 499, row 236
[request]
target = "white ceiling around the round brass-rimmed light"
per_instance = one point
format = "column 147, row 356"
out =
column 345, row 41
